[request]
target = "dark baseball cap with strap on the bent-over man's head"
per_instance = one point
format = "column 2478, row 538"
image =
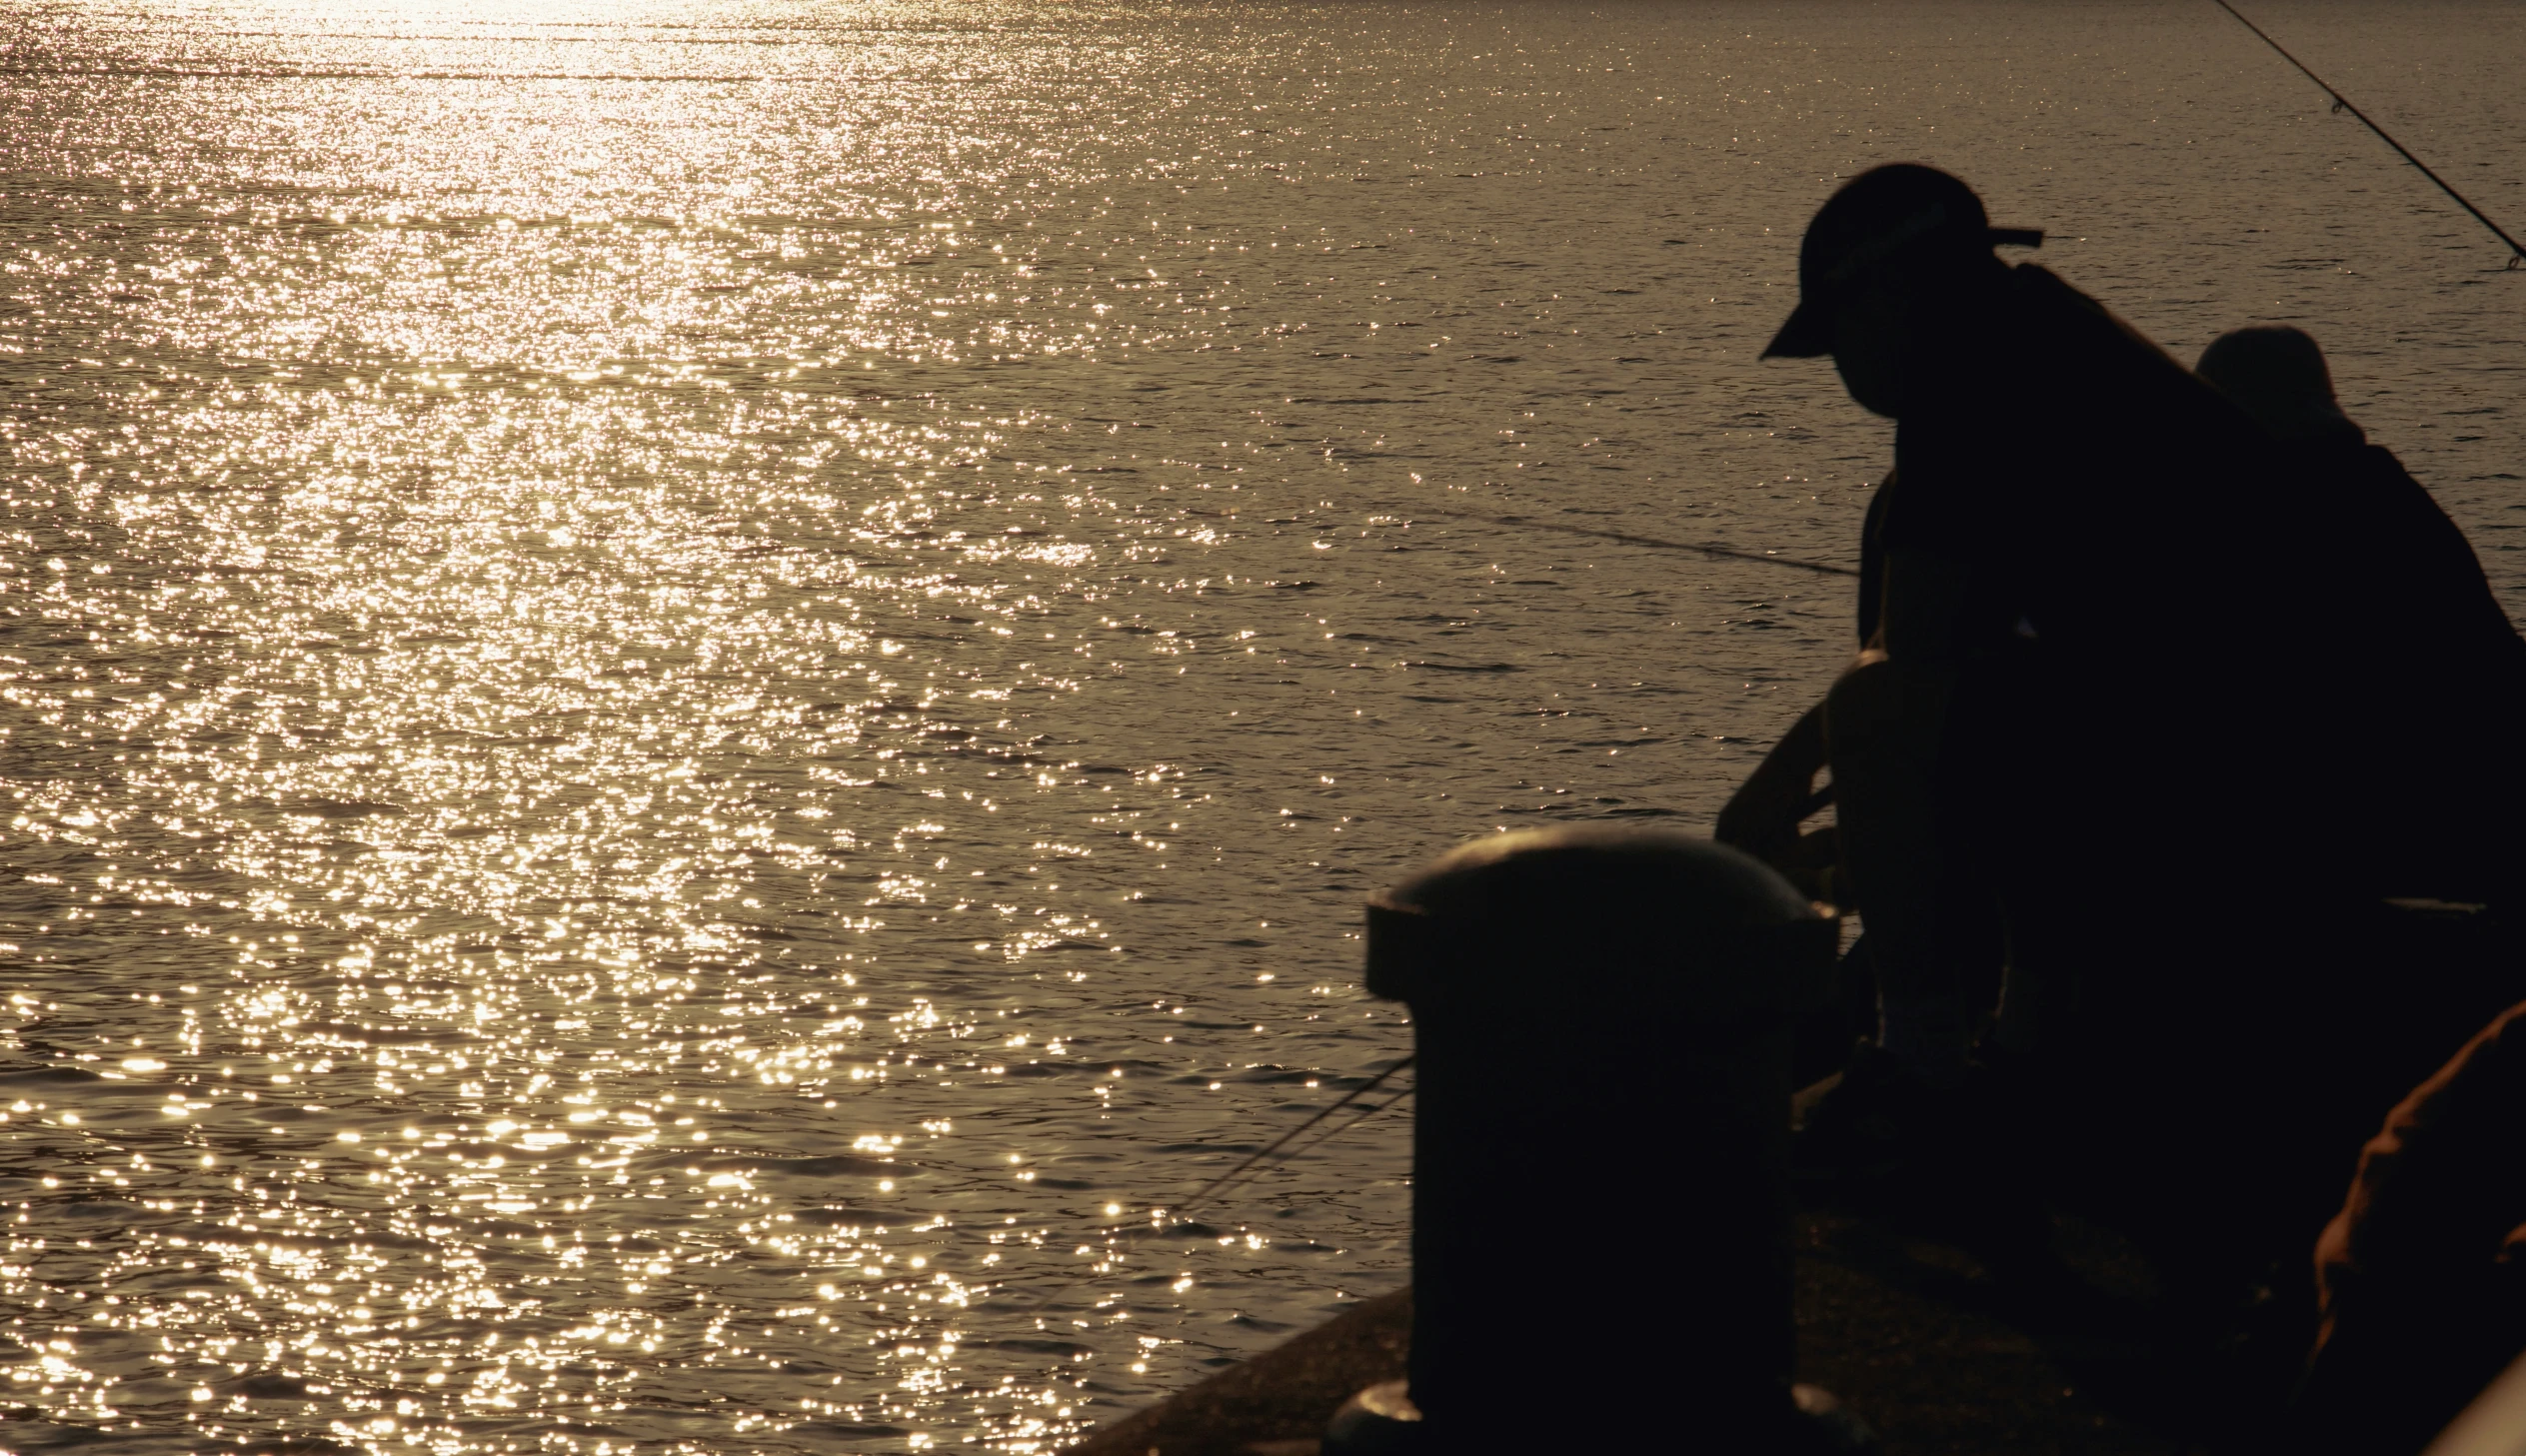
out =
column 1898, row 211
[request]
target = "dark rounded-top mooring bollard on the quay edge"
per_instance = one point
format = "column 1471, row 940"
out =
column 1600, row 1154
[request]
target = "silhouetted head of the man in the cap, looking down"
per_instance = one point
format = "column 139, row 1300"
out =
column 1883, row 274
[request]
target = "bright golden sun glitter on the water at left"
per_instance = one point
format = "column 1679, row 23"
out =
column 509, row 637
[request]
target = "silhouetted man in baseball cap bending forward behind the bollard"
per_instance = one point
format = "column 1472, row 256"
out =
column 2068, row 695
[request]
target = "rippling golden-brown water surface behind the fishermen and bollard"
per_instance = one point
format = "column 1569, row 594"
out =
column 698, row 690
